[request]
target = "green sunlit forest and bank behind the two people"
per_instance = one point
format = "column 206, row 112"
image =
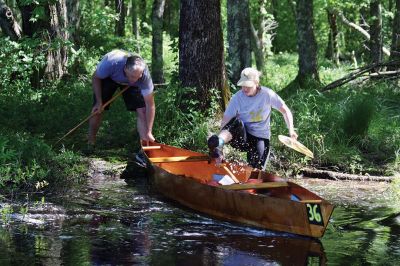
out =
column 335, row 63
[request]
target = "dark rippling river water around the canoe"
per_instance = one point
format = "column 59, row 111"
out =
column 111, row 222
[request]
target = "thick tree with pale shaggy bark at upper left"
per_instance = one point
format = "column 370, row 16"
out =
column 51, row 27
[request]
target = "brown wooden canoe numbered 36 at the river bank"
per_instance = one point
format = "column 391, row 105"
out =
column 260, row 199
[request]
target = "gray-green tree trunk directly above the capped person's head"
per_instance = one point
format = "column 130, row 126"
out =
column 239, row 37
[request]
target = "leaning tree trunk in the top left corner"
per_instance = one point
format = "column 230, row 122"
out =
column 8, row 24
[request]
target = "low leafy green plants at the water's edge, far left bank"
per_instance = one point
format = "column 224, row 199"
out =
column 29, row 163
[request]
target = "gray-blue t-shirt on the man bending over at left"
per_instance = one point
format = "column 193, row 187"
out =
column 112, row 66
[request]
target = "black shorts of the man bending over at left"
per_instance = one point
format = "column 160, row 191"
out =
column 133, row 98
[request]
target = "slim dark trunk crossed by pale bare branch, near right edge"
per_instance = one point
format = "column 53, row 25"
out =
column 376, row 32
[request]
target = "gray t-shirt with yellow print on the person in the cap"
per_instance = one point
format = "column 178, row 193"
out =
column 255, row 111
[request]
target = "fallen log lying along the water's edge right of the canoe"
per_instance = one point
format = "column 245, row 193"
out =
column 325, row 174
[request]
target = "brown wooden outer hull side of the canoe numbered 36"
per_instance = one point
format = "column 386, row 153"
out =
column 278, row 213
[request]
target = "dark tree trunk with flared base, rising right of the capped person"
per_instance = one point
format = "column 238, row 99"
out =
column 307, row 46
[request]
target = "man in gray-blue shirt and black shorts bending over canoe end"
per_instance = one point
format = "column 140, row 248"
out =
column 117, row 70
